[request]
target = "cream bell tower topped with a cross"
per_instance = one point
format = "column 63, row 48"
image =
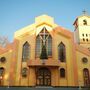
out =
column 82, row 30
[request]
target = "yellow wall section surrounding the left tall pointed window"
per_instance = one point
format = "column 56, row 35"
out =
column 20, row 64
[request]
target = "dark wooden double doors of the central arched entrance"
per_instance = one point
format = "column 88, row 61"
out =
column 43, row 77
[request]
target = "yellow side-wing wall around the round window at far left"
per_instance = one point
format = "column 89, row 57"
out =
column 6, row 65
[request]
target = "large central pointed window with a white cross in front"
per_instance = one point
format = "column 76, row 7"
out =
column 43, row 39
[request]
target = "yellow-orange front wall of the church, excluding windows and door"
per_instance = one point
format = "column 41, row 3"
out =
column 73, row 65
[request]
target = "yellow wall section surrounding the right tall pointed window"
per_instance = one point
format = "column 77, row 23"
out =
column 69, row 79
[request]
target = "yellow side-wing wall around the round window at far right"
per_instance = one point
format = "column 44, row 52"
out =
column 81, row 66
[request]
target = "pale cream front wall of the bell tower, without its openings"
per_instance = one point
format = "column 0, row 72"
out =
column 84, row 29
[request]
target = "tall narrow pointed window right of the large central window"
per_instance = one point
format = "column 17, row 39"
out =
column 62, row 52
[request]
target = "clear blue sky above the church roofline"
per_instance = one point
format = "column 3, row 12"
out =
column 16, row 14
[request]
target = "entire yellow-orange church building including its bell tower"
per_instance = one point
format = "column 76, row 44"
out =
column 46, row 54
